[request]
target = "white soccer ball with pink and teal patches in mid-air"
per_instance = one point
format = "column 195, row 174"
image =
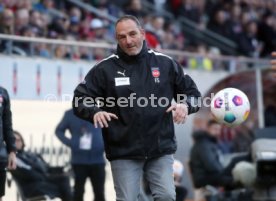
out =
column 230, row 106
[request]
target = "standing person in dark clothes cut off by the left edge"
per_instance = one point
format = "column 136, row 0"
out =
column 7, row 141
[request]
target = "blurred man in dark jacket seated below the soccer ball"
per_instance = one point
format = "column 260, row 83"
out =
column 206, row 161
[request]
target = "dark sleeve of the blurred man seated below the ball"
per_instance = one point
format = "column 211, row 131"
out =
column 209, row 158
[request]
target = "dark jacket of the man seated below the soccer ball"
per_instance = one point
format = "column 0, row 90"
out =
column 205, row 165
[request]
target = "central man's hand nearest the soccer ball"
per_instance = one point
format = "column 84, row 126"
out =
column 180, row 113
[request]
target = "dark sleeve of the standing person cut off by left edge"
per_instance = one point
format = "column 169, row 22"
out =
column 7, row 123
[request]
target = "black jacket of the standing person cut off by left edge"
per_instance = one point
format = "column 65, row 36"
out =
column 6, row 132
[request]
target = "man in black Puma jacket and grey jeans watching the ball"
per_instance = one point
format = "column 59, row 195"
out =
column 138, row 133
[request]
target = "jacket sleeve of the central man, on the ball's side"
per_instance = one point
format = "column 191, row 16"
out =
column 185, row 89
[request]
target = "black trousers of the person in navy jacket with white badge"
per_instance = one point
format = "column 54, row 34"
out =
column 96, row 174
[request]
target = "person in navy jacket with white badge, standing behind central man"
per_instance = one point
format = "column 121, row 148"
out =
column 87, row 149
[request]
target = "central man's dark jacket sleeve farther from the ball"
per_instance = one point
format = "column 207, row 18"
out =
column 87, row 93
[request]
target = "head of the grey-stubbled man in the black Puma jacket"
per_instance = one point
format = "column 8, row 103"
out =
column 130, row 37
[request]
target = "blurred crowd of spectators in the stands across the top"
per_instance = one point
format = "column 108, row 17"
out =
column 251, row 24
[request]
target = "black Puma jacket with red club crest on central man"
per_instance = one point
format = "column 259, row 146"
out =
column 140, row 132
